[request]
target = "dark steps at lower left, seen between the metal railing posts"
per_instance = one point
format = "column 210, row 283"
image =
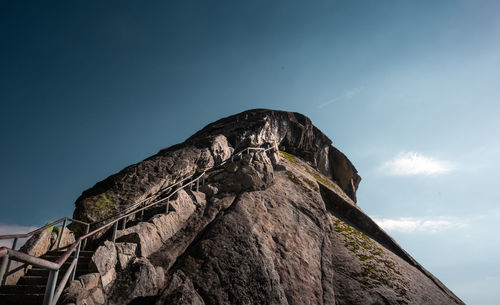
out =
column 30, row 288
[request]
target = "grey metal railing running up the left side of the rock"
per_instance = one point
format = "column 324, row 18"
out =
column 52, row 293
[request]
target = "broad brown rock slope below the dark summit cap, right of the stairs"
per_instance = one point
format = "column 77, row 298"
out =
column 283, row 245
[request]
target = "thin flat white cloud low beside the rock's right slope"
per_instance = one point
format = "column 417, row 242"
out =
column 411, row 224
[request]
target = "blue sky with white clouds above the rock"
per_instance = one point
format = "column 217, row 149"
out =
column 409, row 90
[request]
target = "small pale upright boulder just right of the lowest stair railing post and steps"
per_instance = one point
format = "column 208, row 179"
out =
column 104, row 261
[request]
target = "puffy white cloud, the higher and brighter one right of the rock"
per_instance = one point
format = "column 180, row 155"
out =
column 412, row 163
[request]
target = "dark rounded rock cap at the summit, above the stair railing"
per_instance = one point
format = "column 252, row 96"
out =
column 210, row 146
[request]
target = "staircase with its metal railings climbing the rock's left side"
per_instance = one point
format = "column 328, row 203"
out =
column 32, row 286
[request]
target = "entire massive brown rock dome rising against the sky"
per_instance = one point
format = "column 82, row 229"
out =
column 277, row 224
